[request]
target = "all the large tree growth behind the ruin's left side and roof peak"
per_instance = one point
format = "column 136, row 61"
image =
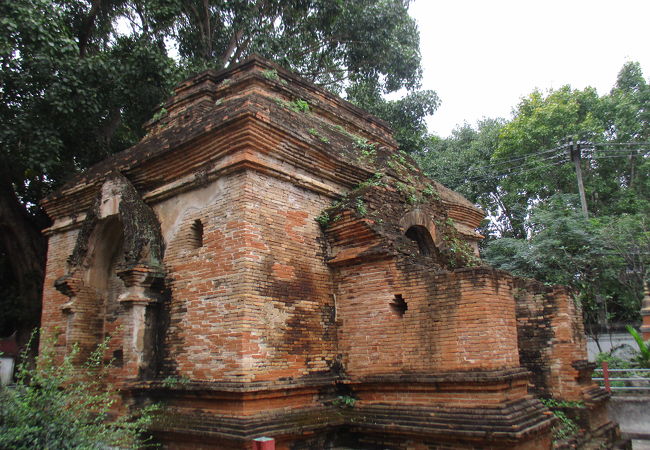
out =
column 78, row 78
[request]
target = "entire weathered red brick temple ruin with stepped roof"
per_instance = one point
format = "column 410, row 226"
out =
column 268, row 263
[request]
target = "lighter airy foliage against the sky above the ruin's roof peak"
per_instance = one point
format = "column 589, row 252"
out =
column 326, row 42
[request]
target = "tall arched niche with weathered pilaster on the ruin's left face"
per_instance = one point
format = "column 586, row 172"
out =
column 115, row 277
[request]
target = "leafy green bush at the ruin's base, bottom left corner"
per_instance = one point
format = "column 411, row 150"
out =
column 66, row 405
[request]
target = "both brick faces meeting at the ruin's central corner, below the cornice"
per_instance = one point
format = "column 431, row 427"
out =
column 254, row 302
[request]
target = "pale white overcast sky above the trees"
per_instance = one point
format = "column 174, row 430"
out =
column 483, row 56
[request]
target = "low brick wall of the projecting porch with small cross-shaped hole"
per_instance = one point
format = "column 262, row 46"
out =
column 455, row 321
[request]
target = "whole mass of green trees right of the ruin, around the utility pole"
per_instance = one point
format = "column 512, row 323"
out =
column 521, row 172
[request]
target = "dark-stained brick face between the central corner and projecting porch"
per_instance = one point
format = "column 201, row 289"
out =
column 291, row 310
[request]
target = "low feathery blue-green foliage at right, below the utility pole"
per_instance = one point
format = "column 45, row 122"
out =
column 585, row 254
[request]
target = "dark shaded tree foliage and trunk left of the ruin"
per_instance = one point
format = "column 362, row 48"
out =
column 73, row 92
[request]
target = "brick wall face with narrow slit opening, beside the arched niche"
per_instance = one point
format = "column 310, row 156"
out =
column 204, row 317
